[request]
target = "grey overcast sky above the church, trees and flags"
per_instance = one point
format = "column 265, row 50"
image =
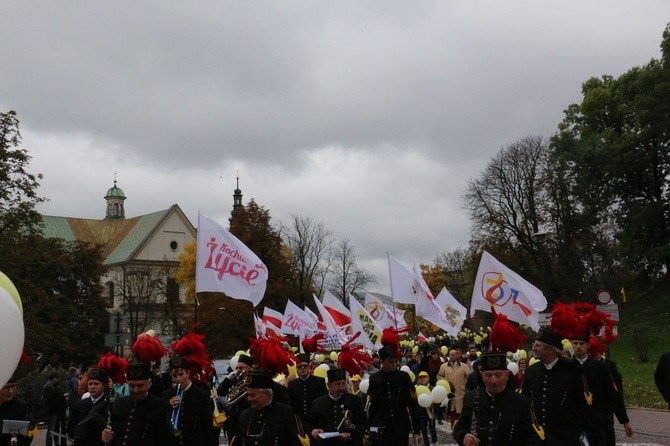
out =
column 369, row 116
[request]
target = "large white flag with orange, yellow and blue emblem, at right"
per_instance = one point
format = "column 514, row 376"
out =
column 497, row 286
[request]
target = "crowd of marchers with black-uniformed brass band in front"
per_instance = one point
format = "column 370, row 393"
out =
column 556, row 394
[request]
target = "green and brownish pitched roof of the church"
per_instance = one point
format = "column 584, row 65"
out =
column 120, row 239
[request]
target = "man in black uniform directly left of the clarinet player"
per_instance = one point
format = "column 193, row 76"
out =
column 139, row 419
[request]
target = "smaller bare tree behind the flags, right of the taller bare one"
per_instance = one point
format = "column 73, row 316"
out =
column 348, row 276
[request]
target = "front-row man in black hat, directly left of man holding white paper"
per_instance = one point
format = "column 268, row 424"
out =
column 266, row 422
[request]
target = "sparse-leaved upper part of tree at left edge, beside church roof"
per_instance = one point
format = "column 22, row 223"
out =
column 18, row 188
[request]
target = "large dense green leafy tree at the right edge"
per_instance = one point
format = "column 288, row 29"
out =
column 616, row 142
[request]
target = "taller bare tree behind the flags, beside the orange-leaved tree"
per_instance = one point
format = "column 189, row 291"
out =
column 310, row 244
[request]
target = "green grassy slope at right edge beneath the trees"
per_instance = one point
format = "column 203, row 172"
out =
column 644, row 317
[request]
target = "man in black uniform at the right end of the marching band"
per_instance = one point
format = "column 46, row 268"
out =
column 602, row 395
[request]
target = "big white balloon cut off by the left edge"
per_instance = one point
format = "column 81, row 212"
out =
column 11, row 336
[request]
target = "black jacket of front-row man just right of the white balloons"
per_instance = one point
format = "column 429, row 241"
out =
column 501, row 420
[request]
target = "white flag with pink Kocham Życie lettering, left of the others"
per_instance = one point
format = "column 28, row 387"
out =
column 224, row 264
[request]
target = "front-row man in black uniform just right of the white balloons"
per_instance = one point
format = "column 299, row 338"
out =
column 494, row 414
